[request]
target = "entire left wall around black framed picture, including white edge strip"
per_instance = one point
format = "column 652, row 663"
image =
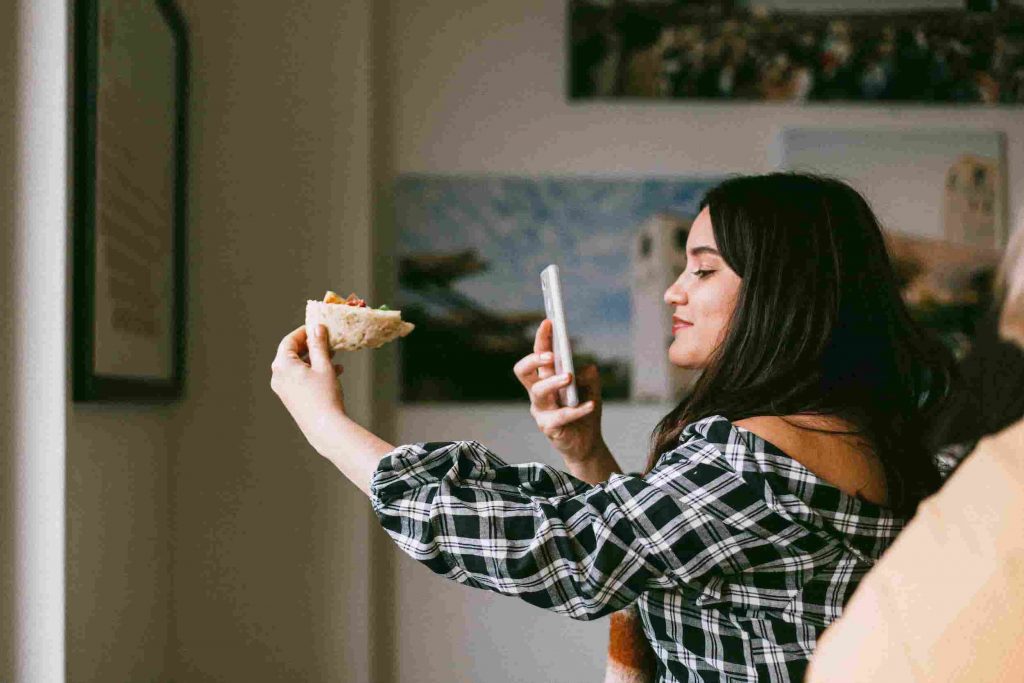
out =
column 205, row 540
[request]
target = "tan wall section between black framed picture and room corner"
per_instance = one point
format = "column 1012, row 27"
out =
column 271, row 561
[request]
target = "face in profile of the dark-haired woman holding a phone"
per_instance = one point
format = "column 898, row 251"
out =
column 703, row 298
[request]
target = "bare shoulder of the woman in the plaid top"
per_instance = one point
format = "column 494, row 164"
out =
column 818, row 443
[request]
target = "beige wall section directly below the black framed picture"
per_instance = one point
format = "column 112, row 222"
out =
column 119, row 561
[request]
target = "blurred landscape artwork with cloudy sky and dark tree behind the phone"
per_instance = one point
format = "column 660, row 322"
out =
column 472, row 250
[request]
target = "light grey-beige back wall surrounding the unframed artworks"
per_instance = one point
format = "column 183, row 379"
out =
column 479, row 89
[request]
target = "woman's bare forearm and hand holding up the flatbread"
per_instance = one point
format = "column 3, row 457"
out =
column 314, row 397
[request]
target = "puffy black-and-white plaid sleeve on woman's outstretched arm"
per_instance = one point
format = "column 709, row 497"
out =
column 538, row 534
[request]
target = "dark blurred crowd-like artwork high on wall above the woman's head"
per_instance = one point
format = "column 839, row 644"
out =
column 969, row 52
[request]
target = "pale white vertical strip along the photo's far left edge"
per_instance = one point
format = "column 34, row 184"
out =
column 33, row 335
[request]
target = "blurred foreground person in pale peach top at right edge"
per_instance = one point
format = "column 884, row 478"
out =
column 947, row 602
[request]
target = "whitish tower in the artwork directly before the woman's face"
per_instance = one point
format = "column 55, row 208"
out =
column 659, row 257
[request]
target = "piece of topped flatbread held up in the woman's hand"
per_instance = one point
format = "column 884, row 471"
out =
column 352, row 325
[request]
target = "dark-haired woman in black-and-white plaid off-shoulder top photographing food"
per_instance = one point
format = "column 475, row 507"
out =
column 771, row 490
